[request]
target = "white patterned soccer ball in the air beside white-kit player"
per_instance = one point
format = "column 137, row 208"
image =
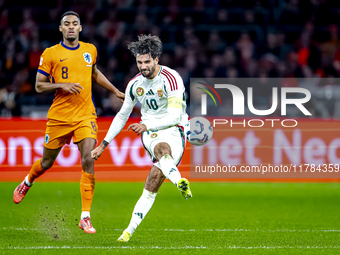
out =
column 198, row 131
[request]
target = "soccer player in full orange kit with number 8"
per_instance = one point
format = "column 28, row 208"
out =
column 70, row 66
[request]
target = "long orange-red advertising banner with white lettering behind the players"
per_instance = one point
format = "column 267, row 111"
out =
column 264, row 153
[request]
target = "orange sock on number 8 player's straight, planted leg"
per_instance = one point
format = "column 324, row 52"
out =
column 87, row 184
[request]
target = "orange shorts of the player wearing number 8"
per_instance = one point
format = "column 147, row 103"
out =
column 59, row 133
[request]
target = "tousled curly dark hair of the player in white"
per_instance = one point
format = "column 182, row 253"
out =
column 146, row 44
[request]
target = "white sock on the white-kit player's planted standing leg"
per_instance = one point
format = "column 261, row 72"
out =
column 142, row 207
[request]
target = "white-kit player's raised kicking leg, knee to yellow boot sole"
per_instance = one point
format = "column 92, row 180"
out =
column 162, row 152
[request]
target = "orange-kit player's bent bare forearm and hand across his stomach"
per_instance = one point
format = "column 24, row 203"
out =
column 41, row 86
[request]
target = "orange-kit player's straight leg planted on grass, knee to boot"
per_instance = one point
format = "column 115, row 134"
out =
column 87, row 184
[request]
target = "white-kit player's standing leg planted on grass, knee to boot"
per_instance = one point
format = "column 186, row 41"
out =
column 145, row 202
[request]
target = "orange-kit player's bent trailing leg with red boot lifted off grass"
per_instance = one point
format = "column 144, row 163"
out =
column 38, row 168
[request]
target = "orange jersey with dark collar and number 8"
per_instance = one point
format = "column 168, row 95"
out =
column 63, row 64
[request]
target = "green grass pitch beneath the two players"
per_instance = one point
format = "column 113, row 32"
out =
column 221, row 218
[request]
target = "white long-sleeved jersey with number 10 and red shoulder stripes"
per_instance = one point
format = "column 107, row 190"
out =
column 162, row 99
